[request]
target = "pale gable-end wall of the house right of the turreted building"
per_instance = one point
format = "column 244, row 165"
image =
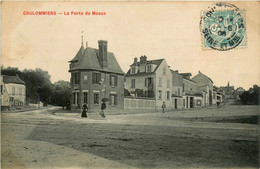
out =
column 163, row 87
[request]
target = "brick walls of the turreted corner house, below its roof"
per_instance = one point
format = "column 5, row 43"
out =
column 103, row 89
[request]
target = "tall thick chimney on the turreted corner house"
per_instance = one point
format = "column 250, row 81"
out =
column 102, row 47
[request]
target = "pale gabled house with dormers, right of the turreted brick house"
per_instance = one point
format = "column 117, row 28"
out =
column 150, row 79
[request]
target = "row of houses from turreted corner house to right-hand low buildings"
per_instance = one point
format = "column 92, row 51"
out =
column 96, row 74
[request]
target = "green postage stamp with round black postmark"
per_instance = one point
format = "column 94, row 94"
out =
column 223, row 27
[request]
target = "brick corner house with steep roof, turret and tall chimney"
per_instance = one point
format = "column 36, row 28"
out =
column 95, row 75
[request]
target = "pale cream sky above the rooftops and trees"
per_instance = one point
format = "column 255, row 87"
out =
column 158, row 30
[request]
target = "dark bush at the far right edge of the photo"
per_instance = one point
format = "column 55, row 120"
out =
column 251, row 96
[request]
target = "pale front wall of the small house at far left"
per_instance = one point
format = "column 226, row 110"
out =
column 17, row 94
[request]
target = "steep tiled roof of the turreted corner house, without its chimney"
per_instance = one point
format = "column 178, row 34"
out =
column 88, row 59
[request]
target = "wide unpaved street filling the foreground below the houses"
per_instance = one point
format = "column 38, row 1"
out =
column 218, row 137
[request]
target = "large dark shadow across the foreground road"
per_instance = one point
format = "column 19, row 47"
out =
column 137, row 146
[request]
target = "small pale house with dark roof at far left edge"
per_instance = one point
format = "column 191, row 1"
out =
column 13, row 91
